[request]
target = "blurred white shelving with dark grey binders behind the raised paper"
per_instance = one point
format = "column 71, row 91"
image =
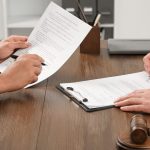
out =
column 20, row 16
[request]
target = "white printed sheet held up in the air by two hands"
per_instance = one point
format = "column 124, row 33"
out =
column 55, row 38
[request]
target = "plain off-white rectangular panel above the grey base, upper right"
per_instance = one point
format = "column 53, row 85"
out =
column 132, row 19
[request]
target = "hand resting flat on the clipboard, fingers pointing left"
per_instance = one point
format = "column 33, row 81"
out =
column 138, row 101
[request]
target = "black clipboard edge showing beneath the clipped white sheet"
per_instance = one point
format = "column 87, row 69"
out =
column 82, row 105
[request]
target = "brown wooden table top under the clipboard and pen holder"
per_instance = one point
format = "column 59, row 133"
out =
column 42, row 118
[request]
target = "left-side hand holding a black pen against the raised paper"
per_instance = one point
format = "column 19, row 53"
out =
column 23, row 71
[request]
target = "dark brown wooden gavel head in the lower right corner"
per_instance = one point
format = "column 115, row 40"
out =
column 138, row 132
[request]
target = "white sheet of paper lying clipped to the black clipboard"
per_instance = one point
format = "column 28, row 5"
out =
column 103, row 92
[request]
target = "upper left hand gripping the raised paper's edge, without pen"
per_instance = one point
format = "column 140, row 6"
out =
column 8, row 46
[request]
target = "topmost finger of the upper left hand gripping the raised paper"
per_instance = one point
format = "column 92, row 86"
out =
column 15, row 38
